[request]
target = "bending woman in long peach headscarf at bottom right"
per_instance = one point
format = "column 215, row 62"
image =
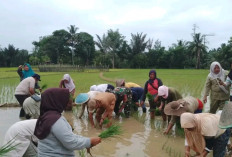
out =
column 203, row 134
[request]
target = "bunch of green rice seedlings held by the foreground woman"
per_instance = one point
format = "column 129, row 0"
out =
column 111, row 131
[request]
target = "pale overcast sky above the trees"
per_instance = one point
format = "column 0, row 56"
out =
column 24, row 21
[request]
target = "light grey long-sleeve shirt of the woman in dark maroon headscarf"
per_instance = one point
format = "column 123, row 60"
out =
column 61, row 141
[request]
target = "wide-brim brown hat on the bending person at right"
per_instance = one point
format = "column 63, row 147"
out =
column 175, row 108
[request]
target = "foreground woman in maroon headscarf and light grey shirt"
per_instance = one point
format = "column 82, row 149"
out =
column 52, row 129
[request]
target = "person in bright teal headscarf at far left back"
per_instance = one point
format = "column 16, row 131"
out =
column 26, row 72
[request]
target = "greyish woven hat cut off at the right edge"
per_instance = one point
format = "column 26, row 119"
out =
column 226, row 116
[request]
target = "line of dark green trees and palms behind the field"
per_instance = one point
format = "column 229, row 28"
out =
column 112, row 50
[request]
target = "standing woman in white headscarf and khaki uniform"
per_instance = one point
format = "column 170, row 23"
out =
column 218, row 93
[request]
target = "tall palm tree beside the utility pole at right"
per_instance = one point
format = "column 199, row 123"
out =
column 197, row 47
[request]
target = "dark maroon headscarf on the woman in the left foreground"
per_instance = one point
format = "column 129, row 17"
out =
column 53, row 103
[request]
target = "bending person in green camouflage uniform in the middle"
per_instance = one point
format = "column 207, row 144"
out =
column 123, row 94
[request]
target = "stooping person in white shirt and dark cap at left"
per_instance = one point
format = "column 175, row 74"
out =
column 25, row 89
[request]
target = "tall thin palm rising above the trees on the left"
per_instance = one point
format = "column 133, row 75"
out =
column 73, row 40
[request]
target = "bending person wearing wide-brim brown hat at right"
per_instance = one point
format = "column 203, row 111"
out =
column 176, row 108
